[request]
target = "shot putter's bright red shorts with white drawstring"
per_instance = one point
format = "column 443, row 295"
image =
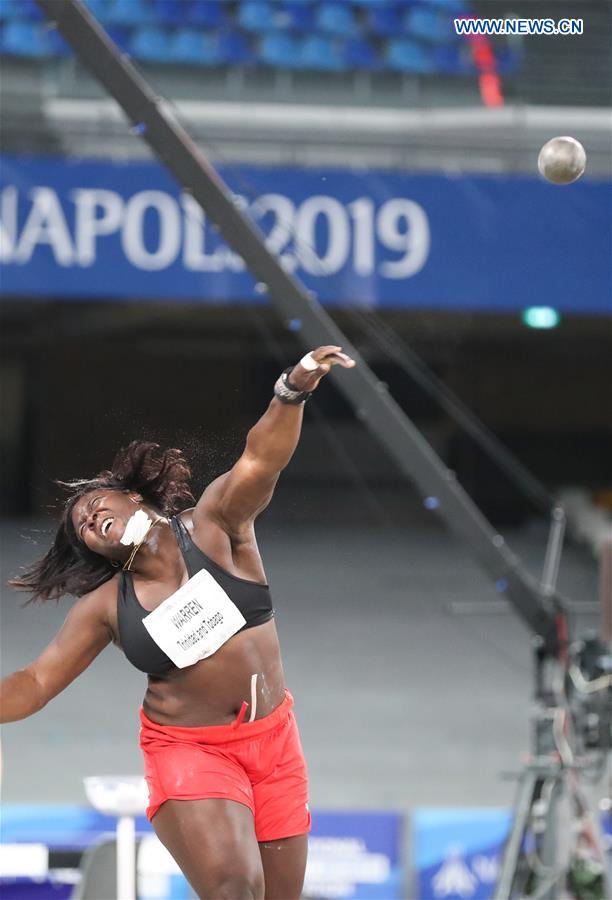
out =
column 260, row 764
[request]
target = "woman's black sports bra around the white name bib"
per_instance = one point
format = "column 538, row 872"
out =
column 252, row 599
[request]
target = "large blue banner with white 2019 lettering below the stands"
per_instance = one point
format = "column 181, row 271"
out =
column 80, row 229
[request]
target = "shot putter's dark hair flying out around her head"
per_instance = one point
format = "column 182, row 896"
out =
column 69, row 567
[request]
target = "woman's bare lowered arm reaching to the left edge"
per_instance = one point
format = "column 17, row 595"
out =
column 84, row 634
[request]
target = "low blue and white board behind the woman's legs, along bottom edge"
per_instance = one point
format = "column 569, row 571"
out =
column 351, row 855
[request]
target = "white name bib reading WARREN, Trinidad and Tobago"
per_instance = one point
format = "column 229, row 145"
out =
column 194, row 621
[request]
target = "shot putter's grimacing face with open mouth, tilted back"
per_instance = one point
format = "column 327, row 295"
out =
column 99, row 519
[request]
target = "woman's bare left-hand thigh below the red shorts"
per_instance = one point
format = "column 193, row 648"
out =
column 213, row 841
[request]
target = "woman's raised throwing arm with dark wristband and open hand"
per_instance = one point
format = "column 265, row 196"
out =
column 234, row 499
